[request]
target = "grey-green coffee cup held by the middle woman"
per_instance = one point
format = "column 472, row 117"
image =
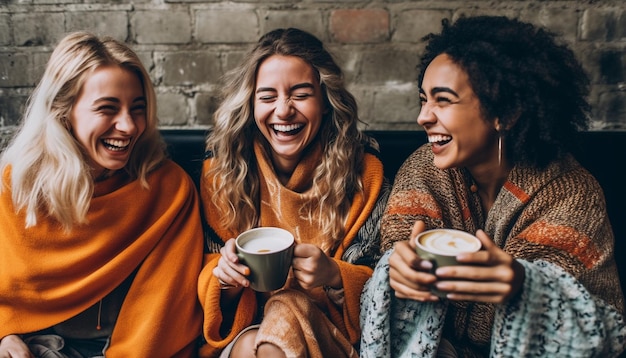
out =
column 267, row 251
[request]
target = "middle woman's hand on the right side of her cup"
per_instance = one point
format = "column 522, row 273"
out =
column 313, row 268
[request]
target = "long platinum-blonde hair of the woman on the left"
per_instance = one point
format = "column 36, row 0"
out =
column 50, row 174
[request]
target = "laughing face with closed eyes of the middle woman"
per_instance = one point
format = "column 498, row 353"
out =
column 288, row 108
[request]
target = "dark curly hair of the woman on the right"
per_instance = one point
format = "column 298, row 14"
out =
column 522, row 76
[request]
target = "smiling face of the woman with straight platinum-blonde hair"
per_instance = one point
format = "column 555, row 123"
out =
column 108, row 117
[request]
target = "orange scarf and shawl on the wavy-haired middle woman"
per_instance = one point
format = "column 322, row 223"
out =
column 345, row 318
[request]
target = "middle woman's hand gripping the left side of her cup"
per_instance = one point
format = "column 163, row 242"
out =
column 231, row 273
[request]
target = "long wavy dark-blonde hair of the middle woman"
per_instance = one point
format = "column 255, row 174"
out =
column 235, row 180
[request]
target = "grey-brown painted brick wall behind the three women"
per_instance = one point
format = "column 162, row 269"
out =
column 188, row 44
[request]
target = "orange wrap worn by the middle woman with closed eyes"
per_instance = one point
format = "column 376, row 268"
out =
column 355, row 255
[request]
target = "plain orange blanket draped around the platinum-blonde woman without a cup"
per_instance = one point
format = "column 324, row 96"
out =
column 48, row 275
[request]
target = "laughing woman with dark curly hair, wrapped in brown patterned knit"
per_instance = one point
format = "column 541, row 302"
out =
column 501, row 104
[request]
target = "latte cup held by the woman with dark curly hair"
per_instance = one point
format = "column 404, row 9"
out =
column 441, row 246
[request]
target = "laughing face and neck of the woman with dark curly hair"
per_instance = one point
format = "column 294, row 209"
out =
column 451, row 115
